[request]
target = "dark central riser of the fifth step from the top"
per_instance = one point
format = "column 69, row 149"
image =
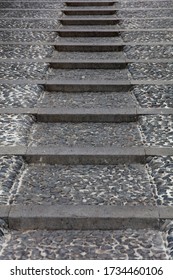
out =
column 89, row 48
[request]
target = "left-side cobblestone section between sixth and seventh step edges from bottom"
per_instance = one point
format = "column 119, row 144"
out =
column 27, row 36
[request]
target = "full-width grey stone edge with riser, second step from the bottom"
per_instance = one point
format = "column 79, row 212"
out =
column 85, row 155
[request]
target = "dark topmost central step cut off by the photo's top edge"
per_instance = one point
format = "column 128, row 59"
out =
column 89, row 3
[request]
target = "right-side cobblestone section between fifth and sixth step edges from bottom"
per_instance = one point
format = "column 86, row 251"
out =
column 149, row 52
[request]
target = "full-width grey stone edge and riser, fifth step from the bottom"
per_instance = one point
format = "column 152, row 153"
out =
column 82, row 64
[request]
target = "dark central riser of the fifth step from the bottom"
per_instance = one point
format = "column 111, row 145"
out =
column 88, row 65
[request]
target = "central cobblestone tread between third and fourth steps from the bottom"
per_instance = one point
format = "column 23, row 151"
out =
column 88, row 100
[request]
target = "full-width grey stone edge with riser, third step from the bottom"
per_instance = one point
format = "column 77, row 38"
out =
column 60, row 114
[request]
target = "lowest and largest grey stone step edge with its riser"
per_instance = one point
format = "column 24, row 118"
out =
column 84, row 217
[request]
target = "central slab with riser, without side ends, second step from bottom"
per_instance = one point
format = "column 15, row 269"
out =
column 87, row 155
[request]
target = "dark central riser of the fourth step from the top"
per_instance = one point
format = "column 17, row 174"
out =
column 88, row 33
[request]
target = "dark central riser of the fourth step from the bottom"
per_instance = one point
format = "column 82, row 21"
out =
column 89, row 88
